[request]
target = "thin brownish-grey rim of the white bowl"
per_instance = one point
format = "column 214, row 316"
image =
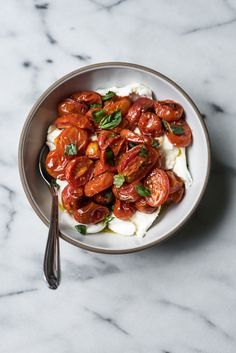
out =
column 26, row 126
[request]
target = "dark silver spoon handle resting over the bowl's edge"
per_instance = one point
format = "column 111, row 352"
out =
column 51, row 266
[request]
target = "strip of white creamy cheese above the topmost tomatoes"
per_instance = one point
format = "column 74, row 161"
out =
column 133, row 88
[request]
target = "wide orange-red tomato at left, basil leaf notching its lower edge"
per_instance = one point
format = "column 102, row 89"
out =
column 76, row 137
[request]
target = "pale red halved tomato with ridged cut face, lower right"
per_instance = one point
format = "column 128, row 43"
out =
column 158, row 184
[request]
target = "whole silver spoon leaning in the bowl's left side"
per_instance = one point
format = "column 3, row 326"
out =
column 51, row 265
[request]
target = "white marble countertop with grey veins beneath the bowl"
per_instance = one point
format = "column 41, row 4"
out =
column 179, row 297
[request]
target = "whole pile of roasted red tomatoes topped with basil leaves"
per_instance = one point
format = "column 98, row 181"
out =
column 110, row 167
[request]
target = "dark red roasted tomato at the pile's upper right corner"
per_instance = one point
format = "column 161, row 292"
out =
column 168, row 110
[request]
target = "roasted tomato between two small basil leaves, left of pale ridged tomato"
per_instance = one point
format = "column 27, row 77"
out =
column 127, row 192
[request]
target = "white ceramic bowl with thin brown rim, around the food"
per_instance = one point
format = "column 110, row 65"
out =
column 104, row 75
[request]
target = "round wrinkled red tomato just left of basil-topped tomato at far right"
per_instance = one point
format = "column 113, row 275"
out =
column 149, row 124
